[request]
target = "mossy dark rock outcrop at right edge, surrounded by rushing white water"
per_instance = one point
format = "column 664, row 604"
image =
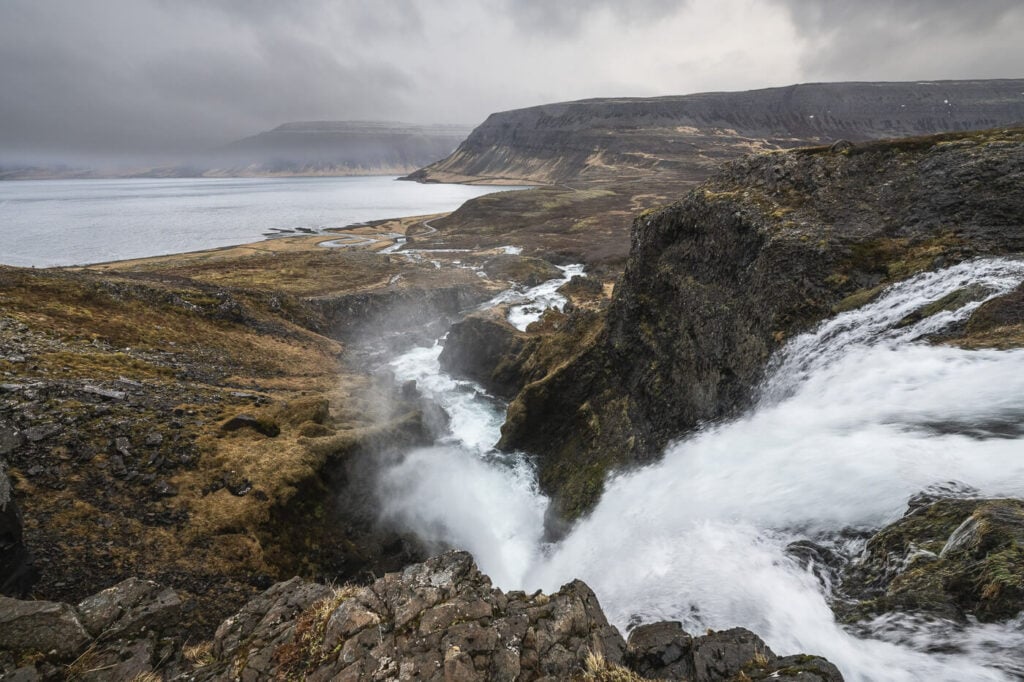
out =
column 951, row 559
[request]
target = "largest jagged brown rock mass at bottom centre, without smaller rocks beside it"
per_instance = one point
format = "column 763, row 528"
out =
column 436, row 621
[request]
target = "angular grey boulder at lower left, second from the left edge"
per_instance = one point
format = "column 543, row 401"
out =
column 130, row 609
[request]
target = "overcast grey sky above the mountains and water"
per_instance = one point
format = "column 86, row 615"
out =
column 152, row 77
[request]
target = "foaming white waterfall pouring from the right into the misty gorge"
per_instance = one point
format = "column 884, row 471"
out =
column 855, row 419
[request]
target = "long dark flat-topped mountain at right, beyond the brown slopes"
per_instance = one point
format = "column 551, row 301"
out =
column 688, row 136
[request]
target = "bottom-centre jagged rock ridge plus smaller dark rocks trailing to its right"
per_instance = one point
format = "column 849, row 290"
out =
column 443, row 620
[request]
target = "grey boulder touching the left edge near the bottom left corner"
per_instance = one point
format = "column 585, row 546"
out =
column 41, row 627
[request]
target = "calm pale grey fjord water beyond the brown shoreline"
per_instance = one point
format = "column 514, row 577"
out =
column 69, row 223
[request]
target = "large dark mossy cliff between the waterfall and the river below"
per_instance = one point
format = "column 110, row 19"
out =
column 716, row 283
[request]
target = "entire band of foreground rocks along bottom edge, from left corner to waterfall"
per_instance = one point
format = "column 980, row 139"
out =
column 441, row 620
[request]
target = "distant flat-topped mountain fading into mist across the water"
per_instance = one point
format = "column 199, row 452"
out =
column 343, row 146
